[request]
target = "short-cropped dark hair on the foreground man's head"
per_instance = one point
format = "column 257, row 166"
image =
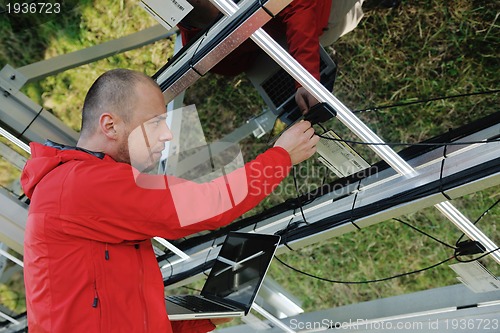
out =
column 113, row 91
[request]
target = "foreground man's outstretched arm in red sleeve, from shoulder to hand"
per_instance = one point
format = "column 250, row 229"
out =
column 108, row 205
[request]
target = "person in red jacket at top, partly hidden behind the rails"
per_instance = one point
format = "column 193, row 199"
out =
column 305, row 23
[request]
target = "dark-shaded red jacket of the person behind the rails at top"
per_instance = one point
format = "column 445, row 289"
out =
column 302, row 22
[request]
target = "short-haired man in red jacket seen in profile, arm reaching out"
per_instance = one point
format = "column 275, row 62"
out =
column 89, row 262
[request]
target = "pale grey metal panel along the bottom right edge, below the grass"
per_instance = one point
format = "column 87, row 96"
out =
column 435, row 310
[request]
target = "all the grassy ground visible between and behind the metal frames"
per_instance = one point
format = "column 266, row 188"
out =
column 420, row 50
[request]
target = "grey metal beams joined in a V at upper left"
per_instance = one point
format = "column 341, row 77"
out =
column 29, row 121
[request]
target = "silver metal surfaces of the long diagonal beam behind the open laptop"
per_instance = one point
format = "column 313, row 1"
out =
column 377, row 189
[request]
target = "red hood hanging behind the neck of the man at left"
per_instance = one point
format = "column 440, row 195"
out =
column 45, row 158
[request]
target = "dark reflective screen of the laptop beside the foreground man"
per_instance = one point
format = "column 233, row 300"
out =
column 240, row 268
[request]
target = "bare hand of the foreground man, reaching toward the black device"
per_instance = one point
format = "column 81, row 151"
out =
column 299, row 141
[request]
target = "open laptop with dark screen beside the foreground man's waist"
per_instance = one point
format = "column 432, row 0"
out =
column 234, row 281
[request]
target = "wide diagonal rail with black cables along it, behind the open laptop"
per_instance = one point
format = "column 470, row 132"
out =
column 467, row 168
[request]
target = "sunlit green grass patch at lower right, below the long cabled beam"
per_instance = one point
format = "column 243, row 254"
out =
column 379, row 251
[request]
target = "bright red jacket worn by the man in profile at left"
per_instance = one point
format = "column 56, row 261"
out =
column 89, row 263
